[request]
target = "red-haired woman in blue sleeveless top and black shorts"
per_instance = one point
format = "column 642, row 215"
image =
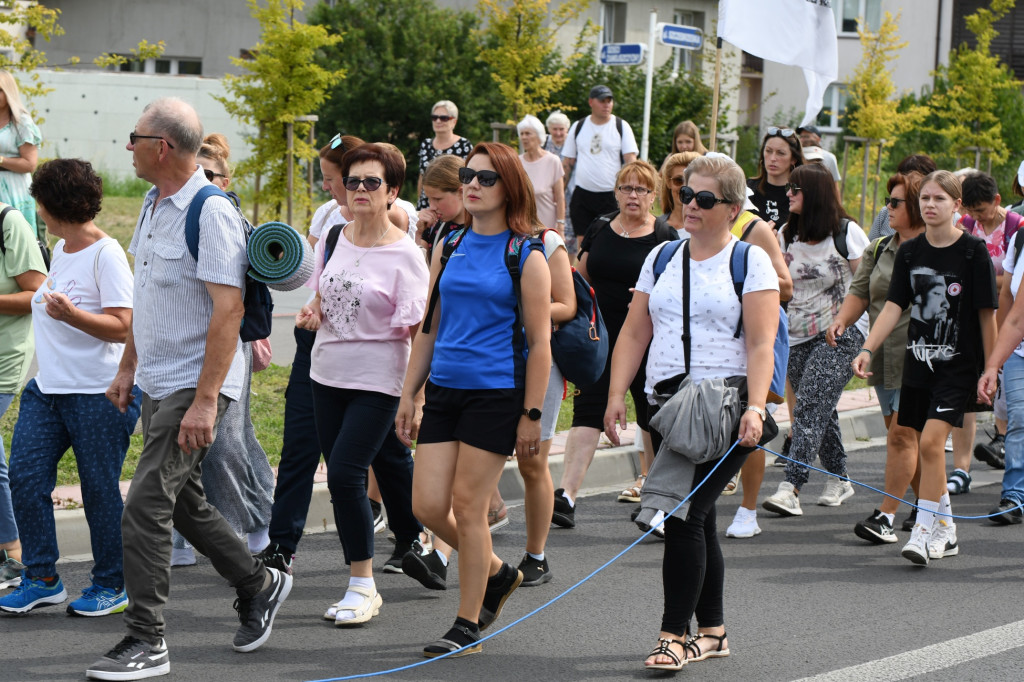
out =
column 484, row 399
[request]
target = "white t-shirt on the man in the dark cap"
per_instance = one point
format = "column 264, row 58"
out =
column 598, row 160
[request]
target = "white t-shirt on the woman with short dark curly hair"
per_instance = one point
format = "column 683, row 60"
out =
column 70, row 360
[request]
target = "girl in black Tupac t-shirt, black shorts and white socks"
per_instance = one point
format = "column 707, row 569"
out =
column 947, row 279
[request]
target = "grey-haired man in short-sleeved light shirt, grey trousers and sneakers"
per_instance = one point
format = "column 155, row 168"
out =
column 190, row 370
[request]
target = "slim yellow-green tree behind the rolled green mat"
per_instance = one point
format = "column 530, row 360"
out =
column 286, row 79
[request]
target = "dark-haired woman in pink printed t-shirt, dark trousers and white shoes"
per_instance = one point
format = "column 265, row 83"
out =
column 370, row 297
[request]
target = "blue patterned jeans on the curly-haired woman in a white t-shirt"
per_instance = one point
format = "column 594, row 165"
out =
column 99, row 434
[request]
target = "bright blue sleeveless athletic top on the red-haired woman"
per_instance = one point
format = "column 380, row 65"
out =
column 474, row 349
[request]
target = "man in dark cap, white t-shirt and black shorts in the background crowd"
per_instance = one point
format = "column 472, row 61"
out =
column 598, row 147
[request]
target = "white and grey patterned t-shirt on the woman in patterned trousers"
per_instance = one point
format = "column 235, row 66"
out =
column 821, row 279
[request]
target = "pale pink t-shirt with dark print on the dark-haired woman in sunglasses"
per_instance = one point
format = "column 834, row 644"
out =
column 364, row 339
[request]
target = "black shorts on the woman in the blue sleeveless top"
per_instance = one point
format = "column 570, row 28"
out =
column 483, row 418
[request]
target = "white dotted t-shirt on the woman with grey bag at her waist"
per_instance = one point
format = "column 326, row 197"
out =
column 715, row 312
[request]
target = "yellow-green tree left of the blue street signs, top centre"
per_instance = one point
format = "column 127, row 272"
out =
column 518, row 46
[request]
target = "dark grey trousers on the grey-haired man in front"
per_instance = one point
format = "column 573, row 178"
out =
column 167, row 490
